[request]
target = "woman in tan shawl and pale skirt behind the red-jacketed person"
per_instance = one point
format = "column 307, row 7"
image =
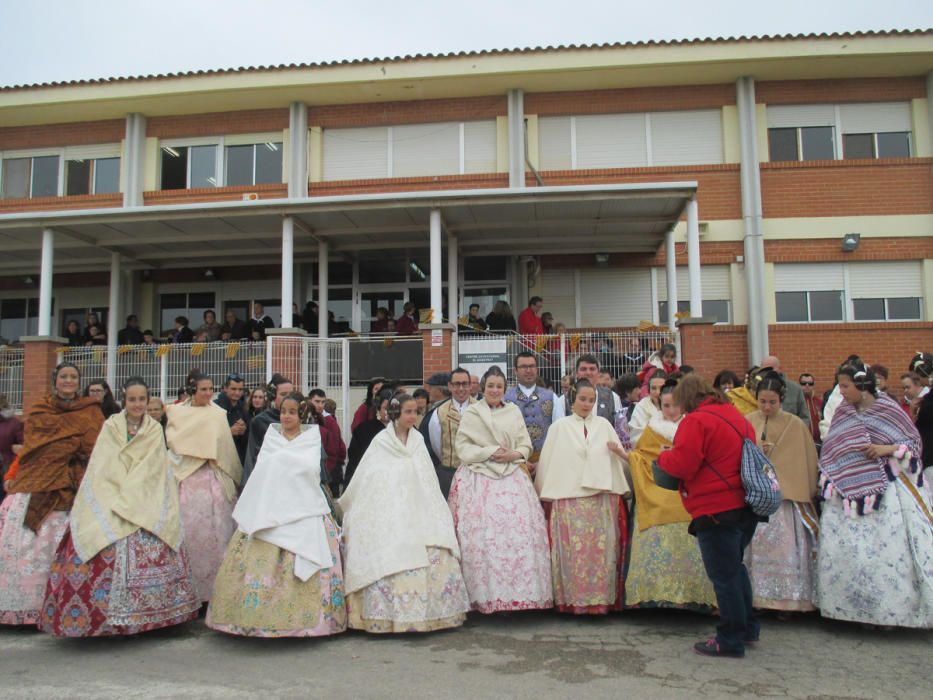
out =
column 781, row 556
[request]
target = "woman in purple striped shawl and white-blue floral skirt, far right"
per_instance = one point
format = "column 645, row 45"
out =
column 875, row 562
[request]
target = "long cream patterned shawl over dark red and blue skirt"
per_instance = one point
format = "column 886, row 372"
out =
column 128, row 485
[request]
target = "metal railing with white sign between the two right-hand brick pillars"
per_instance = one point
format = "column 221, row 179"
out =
column 618, row 352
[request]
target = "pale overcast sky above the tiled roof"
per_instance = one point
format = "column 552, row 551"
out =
column 49, row 40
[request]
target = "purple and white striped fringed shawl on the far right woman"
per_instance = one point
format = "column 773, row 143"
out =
column 860, row 480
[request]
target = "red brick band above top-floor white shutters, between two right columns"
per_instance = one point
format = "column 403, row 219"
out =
column 643, row 99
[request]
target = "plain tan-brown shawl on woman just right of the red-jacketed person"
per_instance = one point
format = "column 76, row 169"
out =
column 793, row 454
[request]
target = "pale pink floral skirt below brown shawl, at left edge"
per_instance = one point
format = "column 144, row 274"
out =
column 25, row 559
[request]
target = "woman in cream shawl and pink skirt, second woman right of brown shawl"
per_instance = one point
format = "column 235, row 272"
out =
column 208, row 469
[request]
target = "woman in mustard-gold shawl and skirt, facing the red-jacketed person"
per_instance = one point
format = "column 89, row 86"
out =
column 665, row 569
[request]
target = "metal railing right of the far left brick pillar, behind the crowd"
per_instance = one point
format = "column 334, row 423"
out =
column 165, row 367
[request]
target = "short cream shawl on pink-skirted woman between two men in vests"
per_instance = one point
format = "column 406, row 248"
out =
column 483, row 431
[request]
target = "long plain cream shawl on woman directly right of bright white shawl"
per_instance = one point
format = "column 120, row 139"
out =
column 393, row 511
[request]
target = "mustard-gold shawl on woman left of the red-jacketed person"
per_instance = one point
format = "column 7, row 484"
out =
column 654, row 505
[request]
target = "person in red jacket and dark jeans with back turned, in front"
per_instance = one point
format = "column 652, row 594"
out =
column 707, row 459
